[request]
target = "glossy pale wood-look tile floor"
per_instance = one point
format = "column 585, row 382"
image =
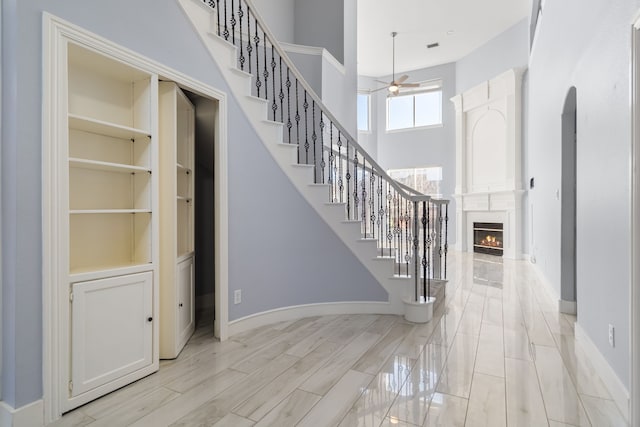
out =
column 497, row 353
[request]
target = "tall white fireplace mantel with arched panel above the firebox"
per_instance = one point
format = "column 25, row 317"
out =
column 488, row 160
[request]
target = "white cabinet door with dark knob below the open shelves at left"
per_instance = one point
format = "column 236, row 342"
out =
column 111, row 329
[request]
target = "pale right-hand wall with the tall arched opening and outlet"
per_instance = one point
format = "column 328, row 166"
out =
column 587, row 45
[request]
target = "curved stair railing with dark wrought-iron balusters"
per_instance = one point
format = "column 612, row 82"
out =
column 409, row 227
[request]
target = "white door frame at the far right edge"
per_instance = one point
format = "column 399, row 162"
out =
column 634, row 291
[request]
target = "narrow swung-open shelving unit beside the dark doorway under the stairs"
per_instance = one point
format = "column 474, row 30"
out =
column 177, row 139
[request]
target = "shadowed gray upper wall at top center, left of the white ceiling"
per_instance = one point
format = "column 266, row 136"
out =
column 315, row 25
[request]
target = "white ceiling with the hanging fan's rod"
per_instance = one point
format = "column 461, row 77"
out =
column 421, row 22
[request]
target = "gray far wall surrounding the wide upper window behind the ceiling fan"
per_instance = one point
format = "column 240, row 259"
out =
column 433, row 146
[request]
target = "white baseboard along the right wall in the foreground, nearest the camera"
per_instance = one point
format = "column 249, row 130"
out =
column 618, row 391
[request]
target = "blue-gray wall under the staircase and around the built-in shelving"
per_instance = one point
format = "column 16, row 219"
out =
column 267, row 253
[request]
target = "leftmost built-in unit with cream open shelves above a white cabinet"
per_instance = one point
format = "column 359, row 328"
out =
column 111, row 217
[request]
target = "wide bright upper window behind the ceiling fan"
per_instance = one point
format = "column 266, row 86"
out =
column 415, row 109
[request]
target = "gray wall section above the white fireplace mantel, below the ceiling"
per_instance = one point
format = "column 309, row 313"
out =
column 509, row 49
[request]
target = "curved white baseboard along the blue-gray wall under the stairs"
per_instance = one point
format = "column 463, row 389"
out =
column 307, row 310
